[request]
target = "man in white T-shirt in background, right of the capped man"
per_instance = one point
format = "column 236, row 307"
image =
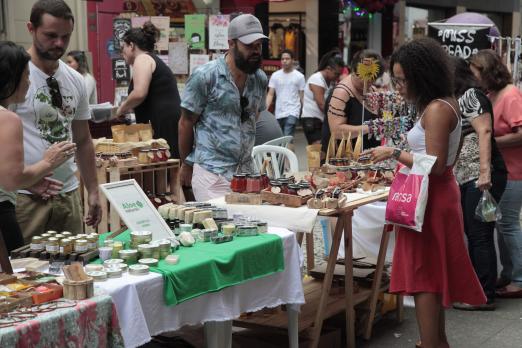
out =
column 288, row 85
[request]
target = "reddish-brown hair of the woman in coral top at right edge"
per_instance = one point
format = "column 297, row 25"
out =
column 494, row 75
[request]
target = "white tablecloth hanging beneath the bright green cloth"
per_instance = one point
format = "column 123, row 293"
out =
column 142, row 311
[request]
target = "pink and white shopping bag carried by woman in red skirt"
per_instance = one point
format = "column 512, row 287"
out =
column 409, row 193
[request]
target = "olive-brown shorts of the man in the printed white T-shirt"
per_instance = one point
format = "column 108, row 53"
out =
column 60, row 213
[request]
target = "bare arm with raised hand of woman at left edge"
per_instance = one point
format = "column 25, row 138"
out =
column 14, row 174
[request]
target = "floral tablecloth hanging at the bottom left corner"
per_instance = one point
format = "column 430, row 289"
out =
column 91, row 323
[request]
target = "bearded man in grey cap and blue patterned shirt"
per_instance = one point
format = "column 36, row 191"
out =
column 220, row 104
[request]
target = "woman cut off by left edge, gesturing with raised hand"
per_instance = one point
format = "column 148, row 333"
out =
column 14, row 175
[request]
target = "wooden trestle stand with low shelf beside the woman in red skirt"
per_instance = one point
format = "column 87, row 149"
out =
column 320, row 304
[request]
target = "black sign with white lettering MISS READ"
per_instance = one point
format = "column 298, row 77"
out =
column 461, row 40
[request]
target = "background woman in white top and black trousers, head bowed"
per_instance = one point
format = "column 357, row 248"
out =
column 318, row 83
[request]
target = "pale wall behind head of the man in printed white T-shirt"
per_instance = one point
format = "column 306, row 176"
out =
column 18, row 13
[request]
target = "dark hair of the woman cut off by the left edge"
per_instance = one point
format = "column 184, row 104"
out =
column 13, row 61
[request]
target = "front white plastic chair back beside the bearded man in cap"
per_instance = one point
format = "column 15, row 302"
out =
column 277, row 156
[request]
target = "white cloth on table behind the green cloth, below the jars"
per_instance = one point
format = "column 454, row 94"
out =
column 300, row 219
